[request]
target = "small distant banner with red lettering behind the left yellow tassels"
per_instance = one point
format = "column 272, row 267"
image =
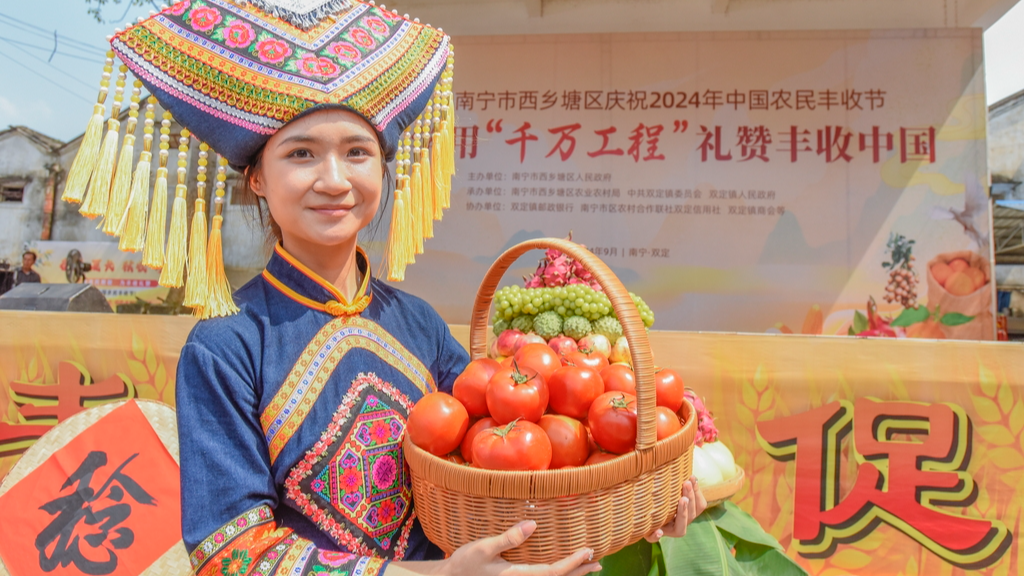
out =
column 120, row 276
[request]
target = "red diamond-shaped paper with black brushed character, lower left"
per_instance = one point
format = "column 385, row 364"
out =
column 107, row 504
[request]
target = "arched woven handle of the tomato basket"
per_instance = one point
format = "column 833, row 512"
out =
column 629, row 316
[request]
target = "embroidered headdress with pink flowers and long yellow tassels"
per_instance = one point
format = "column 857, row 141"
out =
column 233, row 73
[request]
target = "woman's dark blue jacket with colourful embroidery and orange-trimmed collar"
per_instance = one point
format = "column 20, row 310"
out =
column 291, row 417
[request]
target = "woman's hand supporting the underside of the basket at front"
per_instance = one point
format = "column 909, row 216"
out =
column 484, row 558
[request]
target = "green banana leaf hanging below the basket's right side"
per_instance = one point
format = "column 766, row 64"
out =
column 722, row 541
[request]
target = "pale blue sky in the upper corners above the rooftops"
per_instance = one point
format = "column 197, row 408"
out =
column 56, row 97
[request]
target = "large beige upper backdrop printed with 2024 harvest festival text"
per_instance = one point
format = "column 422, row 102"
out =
column 739, row 182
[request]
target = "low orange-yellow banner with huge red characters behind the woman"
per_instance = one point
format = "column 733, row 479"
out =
column 864, row 457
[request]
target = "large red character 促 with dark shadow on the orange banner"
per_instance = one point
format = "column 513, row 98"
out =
column 900, row 483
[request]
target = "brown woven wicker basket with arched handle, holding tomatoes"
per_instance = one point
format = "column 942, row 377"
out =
column 606, row 507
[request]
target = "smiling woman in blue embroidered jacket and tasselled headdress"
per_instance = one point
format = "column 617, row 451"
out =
column 291, row 413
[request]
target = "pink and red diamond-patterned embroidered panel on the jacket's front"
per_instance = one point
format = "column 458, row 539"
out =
column 354, row 483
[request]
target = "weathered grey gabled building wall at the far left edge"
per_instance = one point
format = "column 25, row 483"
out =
column 22, row 222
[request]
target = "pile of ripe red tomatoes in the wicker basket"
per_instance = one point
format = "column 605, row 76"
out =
column 541, row 410
